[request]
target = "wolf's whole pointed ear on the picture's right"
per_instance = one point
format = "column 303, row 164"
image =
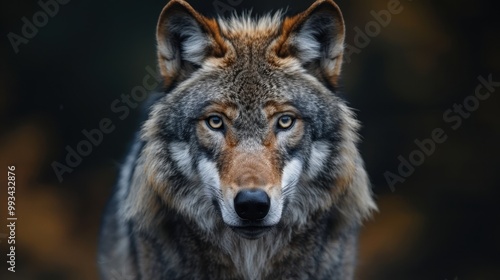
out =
column 316, row 38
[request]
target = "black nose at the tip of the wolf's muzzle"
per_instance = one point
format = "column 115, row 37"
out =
column 252, row 204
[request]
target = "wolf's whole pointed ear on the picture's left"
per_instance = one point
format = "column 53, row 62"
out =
column 185, row 39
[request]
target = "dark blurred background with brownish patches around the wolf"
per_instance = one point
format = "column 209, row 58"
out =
column 442, row 222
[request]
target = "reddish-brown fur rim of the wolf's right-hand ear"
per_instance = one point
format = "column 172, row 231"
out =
column 292, row 25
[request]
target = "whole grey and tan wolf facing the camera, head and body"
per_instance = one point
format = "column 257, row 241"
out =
column 247, row 165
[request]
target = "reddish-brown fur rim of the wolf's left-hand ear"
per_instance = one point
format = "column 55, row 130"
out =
column 170, row 66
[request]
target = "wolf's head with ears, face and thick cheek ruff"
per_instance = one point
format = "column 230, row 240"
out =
column 250, row 133
